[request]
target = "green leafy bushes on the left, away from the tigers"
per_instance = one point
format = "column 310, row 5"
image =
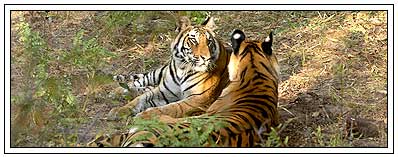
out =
column 48, row 95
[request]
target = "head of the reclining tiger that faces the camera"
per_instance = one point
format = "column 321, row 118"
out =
column 196, row 46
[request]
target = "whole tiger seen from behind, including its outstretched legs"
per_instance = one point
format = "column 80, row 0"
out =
column 247, row 106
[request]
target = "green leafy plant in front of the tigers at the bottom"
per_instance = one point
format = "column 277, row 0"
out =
column 196, row 135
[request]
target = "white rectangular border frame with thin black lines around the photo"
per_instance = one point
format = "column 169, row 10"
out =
column 7, row 64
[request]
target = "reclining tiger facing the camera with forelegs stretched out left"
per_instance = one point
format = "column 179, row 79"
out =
column 193, row 79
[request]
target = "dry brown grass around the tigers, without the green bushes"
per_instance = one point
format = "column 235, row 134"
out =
column 333, row 65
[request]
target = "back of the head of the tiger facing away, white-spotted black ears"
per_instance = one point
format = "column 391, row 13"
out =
column 254, row 53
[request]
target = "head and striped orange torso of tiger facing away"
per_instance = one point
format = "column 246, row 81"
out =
column 248, row 105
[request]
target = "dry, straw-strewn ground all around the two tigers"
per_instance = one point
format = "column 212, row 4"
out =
column 333, row 71
